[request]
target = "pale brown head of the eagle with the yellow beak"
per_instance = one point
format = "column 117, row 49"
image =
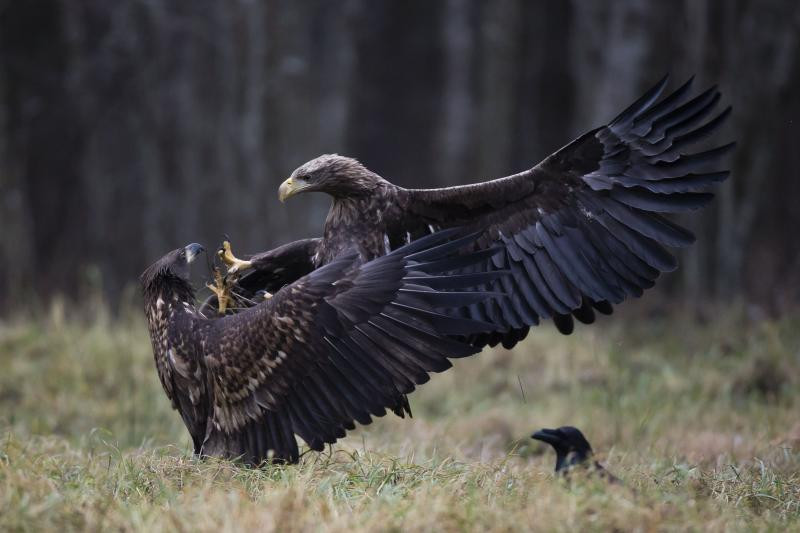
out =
column 334, row 174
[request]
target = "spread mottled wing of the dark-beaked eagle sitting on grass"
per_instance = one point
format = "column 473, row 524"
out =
column 343, row 344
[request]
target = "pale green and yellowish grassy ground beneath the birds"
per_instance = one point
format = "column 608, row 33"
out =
column 702, row 423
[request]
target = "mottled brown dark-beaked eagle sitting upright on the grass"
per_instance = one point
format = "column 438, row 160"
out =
column 340, row 345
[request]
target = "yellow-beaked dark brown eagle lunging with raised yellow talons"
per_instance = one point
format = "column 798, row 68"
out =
column 580, row 231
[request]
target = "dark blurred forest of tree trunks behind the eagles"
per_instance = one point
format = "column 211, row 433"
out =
column 131, row 127
